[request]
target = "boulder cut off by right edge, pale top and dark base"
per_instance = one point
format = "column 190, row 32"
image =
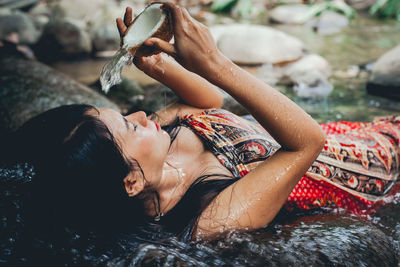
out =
column 385, row 79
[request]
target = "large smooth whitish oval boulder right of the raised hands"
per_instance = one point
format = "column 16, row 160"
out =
column 256, row 44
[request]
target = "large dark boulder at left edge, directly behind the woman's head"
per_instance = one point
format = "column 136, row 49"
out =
column 29, row 88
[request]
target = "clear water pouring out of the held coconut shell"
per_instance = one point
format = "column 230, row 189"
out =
column 111, row 72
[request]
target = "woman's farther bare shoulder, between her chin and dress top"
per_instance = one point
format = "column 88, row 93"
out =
column 167, row 115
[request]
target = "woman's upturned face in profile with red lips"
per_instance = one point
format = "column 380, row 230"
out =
column 141, row 139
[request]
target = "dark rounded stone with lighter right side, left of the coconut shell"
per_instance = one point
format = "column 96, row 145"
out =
column 62, row 38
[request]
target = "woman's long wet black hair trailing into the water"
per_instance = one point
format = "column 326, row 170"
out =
column 80, row 170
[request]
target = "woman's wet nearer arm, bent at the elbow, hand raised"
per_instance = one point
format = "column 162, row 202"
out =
column 254, row 200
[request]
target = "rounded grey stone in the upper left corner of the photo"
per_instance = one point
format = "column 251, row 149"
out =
column 22, row 25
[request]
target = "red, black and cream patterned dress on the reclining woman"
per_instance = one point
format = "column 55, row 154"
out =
column 356, row 169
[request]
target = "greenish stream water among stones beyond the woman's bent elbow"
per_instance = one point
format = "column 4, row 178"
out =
column 351, row 54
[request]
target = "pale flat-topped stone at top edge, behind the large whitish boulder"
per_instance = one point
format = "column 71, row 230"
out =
column 289, row 14
